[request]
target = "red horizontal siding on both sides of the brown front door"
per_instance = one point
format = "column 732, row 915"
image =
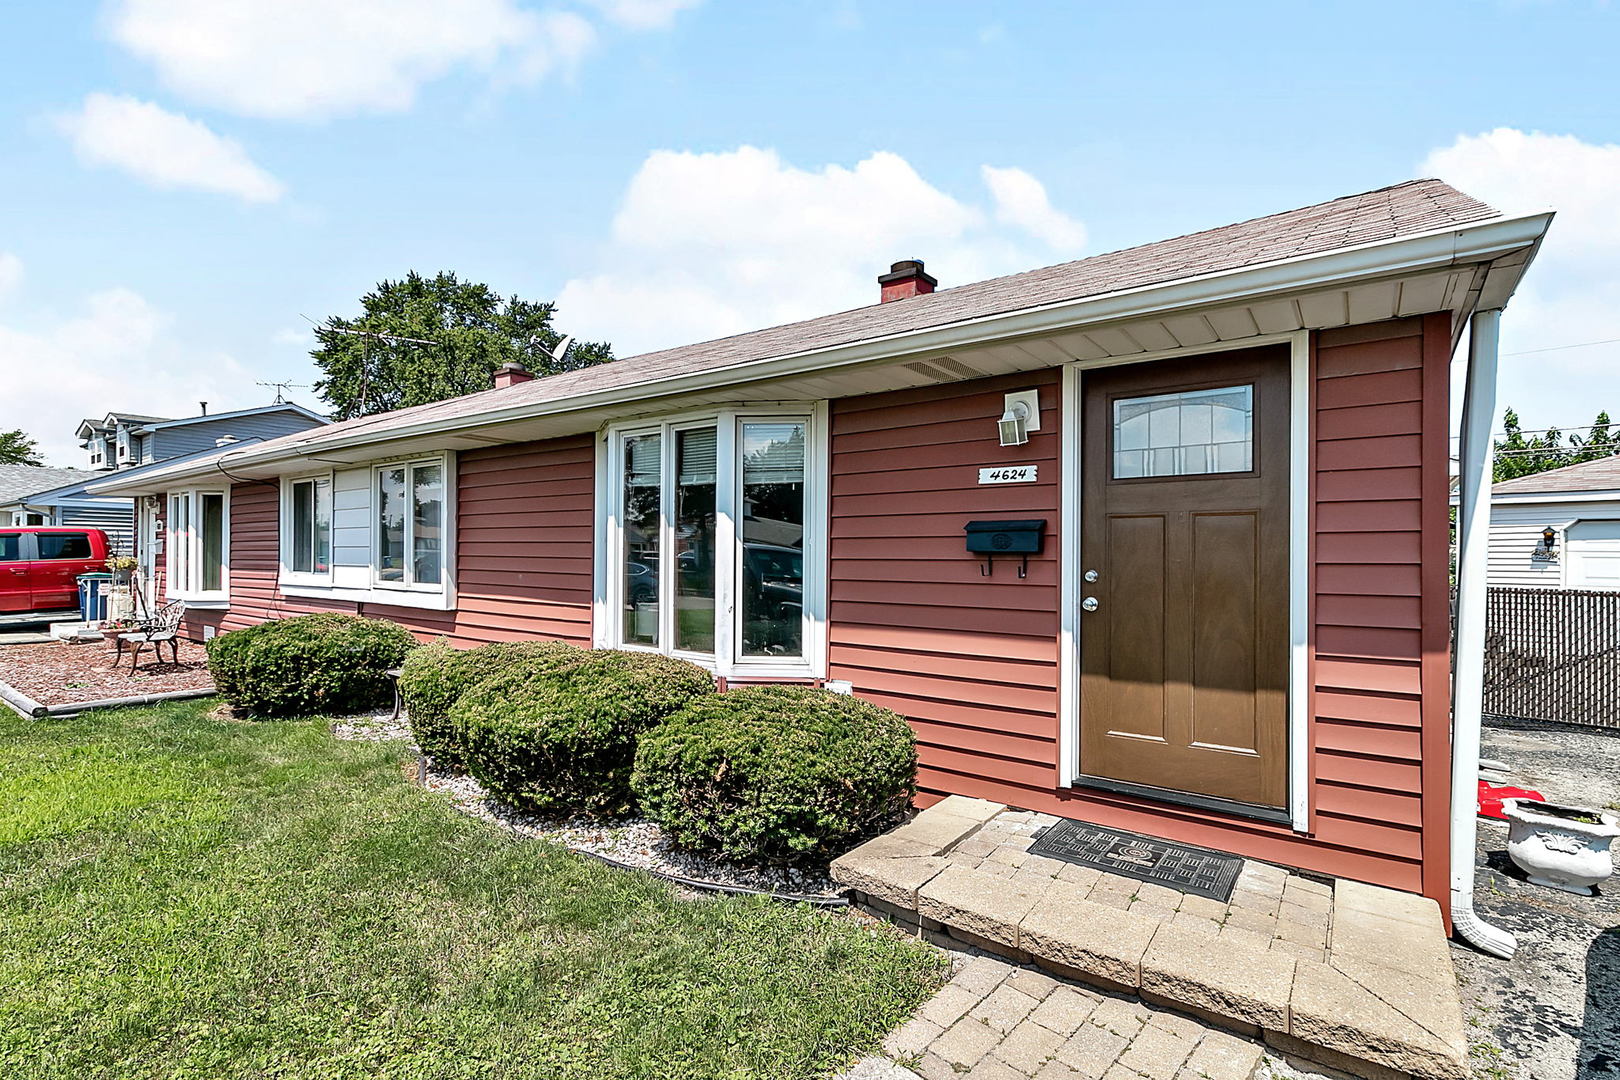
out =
column 973, row 660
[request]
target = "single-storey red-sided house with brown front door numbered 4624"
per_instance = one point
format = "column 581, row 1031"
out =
column 1154, row 540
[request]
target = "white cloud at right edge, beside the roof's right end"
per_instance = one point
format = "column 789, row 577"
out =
column 1572, row 292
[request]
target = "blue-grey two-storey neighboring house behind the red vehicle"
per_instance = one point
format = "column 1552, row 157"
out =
column 127, row 443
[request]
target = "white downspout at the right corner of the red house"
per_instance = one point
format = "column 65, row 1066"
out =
column 1473, row 532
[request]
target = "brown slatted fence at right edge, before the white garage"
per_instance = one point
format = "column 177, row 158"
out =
column 1554, row 655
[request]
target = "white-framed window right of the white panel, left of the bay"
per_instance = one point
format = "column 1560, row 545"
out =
column 411, row 525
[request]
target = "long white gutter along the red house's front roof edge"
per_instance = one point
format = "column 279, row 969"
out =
column 1457, row 245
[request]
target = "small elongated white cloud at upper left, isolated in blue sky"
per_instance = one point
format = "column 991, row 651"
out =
column 164, row 150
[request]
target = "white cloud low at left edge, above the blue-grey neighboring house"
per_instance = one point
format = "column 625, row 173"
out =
column 116, row 354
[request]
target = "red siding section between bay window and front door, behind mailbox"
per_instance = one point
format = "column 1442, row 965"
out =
column 914, row 624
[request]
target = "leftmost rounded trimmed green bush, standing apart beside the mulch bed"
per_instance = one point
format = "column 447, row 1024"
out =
column 326, row 663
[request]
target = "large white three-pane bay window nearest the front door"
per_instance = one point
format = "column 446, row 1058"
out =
column 715, row 542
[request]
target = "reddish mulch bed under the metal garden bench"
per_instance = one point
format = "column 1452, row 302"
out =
column 56, row 673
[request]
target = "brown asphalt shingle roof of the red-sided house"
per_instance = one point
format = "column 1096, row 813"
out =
column 1405, row 210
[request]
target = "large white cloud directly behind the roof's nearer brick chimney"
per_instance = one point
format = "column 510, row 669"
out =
column 707, row 245
